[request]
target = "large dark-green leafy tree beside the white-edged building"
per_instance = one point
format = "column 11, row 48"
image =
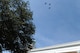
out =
column 16, row 26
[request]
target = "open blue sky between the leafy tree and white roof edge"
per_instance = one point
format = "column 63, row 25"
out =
column 60, row 24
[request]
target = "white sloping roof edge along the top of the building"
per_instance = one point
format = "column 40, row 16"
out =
column 69, row 44
